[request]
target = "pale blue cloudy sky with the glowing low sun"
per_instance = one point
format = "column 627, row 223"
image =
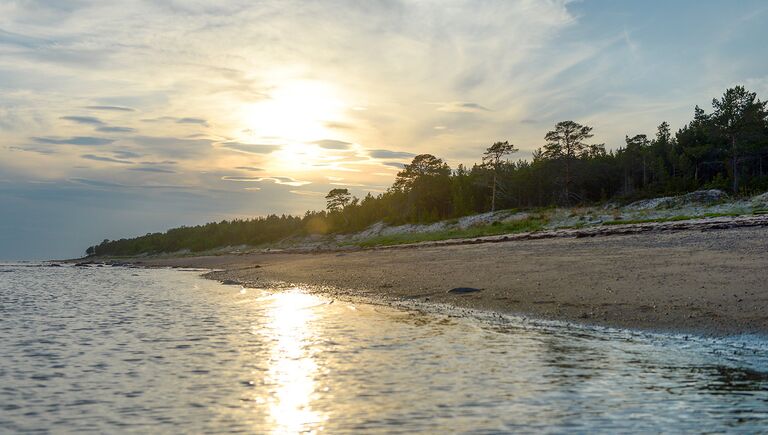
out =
column 119, row 118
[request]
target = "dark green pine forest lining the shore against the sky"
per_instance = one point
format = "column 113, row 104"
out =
column 726, row 149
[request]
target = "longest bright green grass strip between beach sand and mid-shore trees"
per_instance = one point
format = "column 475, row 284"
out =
column 497, row 228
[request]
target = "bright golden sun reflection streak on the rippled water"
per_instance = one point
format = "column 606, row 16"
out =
column 292, row 367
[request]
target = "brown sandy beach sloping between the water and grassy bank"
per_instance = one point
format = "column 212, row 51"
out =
column 709, row 281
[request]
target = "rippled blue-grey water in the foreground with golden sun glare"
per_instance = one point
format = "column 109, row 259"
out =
column 129, row 350
